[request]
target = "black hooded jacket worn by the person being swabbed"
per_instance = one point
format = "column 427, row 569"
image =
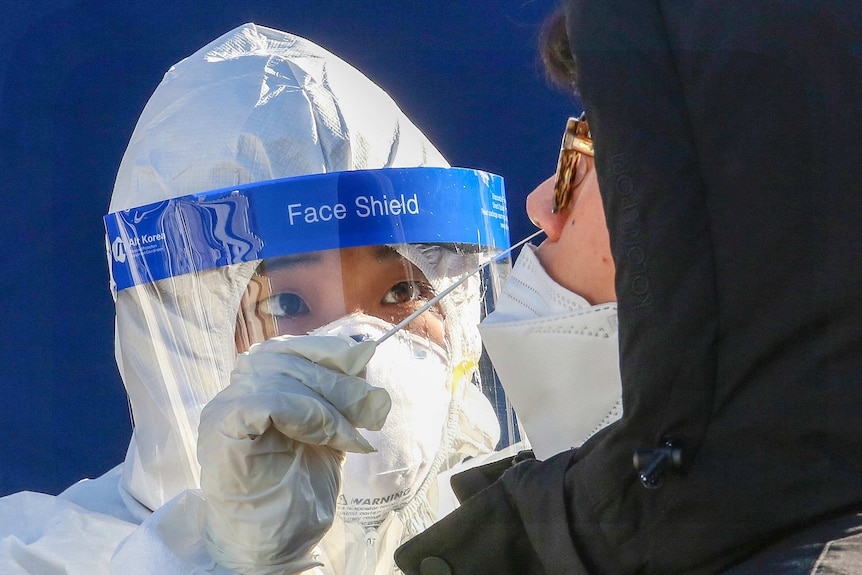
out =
column 728, row 138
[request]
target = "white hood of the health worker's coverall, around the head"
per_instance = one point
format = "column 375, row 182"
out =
column 256, row 104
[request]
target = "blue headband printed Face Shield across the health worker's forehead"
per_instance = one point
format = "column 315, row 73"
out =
column 304, row 214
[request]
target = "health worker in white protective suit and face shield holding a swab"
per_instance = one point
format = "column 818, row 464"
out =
column 274, row 215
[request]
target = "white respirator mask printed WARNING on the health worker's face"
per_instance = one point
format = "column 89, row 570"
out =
column 417, row 375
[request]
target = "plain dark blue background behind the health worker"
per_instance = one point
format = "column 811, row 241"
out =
column 74, row 76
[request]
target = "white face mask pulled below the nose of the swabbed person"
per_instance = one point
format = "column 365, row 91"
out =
column 556, row 356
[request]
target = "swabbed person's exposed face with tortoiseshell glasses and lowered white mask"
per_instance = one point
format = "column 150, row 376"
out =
column 553, row 334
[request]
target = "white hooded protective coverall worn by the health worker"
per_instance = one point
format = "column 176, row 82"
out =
column 255, row 104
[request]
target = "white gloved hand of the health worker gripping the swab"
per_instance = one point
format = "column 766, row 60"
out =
column 271, row 446
